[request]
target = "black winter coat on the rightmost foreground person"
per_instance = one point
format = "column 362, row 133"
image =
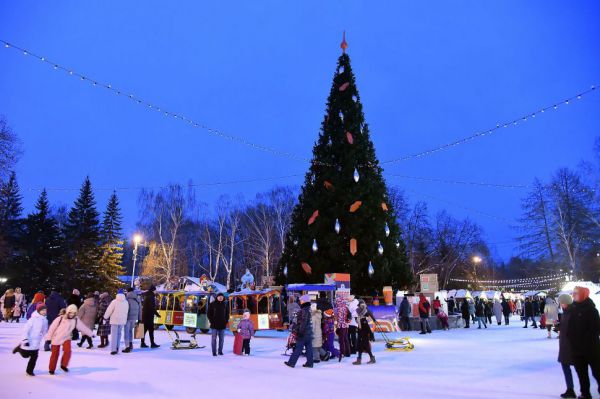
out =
column 584, row 328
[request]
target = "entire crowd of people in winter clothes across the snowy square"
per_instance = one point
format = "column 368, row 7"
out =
column 53, row 323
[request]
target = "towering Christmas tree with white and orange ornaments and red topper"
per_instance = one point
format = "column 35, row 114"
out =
column 344, row 221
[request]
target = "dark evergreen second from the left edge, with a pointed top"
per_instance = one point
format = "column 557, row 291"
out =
column 42, row 248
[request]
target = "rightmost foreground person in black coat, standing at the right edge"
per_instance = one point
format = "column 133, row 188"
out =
column 583, row 334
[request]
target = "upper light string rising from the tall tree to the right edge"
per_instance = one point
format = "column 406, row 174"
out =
column 498, row 127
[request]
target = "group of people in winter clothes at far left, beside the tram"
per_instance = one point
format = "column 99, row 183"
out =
column 53, row 323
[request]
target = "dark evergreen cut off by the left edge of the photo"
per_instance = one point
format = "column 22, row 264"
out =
column 10, row 226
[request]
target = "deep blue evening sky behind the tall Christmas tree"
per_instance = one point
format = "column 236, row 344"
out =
column 428, row 73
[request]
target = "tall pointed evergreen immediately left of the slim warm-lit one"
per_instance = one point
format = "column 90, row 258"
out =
column 82, row 235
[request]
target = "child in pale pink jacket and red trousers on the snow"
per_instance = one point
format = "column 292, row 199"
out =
column 59, row 334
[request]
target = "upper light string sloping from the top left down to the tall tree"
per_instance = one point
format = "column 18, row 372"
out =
column 152, row 106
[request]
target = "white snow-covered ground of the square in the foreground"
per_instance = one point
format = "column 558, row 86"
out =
column 499, row 362
